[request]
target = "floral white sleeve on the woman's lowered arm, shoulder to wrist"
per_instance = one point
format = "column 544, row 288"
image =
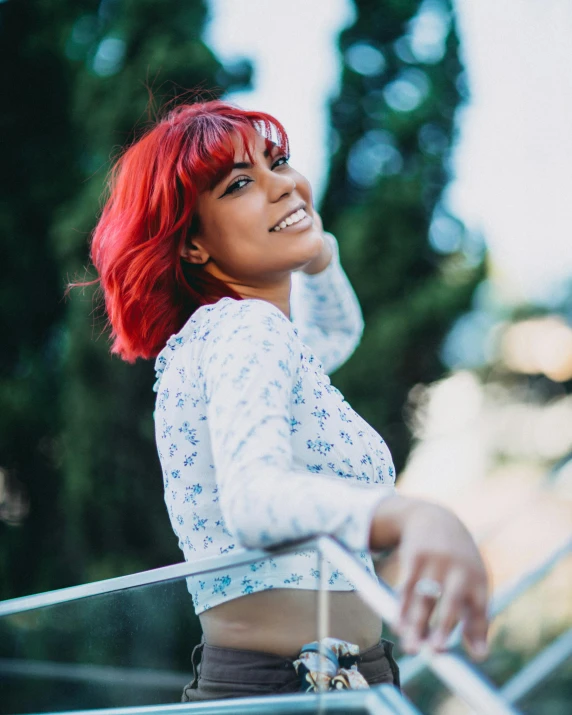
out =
column 251, row 368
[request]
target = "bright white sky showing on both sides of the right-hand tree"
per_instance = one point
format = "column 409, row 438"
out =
column 512, row 162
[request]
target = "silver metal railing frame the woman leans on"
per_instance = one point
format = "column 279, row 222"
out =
column 459, row 676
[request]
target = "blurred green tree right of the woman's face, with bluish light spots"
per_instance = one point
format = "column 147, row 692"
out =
column 393, row 129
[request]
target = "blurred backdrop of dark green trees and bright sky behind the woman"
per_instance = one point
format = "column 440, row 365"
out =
column 436, row 135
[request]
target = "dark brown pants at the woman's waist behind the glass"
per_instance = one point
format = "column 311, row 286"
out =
column 233, row 673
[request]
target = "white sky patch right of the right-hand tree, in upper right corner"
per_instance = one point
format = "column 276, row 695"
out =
column 514, row 160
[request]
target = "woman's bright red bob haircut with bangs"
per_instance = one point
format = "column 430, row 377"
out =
column 149, row 291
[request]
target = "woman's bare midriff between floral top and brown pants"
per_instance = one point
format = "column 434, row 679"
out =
column 281, row 620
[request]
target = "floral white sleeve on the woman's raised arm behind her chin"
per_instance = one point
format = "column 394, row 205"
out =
column 326, row 312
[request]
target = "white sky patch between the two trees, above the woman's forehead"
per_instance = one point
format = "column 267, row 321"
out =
column 297, row 66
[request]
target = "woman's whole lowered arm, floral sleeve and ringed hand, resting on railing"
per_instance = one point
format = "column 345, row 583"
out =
column 250, row 369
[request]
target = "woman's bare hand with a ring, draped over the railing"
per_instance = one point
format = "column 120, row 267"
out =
column 434, row 544
